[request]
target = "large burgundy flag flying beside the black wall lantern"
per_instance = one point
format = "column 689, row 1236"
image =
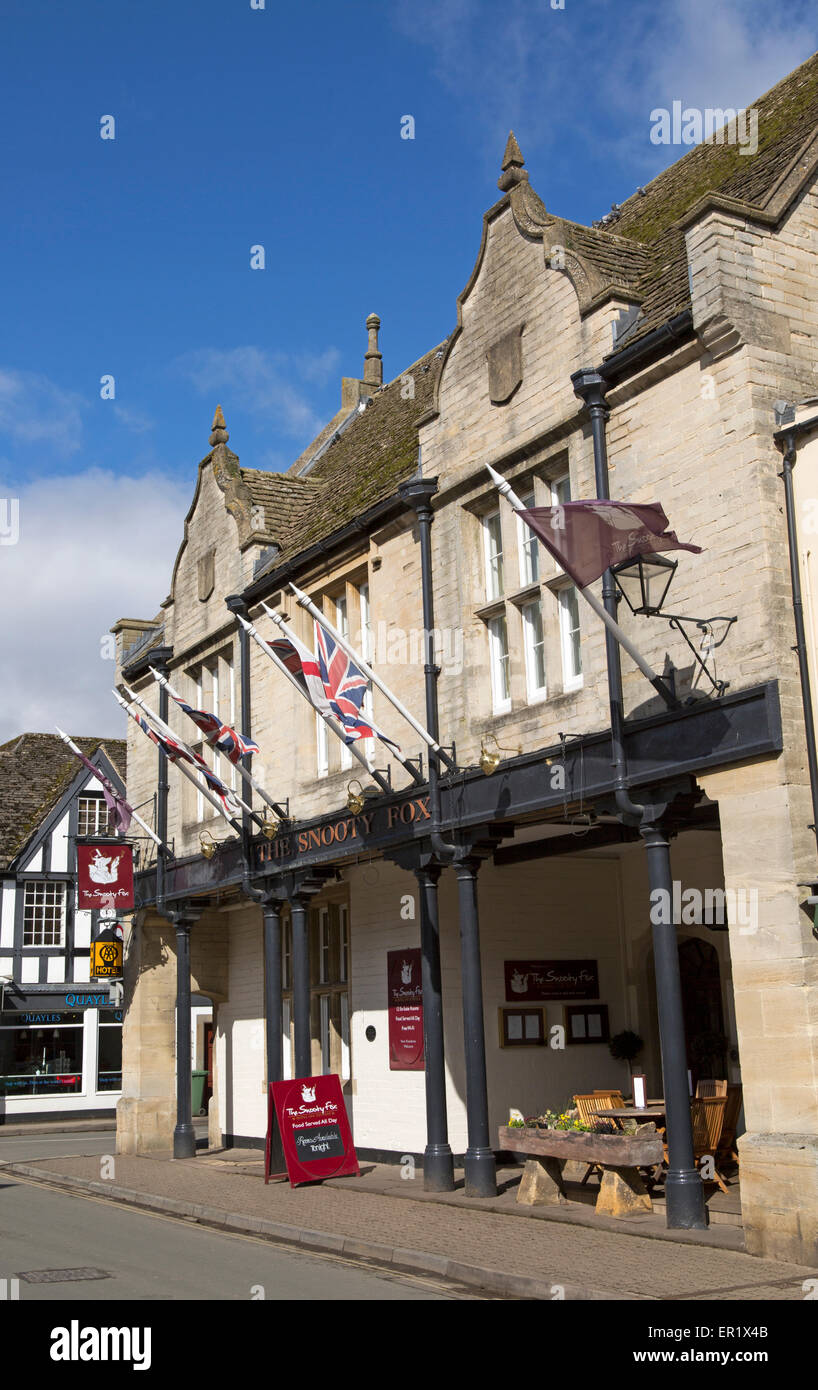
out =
column 586, row 539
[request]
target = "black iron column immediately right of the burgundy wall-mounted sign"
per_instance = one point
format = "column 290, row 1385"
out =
column 439, row 1166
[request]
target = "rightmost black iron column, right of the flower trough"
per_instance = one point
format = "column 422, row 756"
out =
column 684, row 1186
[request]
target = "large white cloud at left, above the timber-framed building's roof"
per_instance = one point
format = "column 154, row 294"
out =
column 93, row 548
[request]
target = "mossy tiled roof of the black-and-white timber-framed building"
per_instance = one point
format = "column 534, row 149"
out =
column 35, row 771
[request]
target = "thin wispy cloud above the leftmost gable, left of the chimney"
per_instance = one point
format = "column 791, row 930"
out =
column 266, row 384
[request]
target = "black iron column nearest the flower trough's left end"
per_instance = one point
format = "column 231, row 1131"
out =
column 479, row 1164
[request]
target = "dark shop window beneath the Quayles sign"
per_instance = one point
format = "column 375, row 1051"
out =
column 42, row 1058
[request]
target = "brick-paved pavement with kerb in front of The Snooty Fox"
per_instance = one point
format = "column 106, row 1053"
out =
column 495, row 1246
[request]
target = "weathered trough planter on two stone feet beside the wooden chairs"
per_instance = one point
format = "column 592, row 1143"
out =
column 623, row 1192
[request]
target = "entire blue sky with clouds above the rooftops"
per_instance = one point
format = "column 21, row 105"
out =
column 276, row 127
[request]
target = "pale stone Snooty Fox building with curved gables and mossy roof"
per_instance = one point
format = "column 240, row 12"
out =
column 681, row 323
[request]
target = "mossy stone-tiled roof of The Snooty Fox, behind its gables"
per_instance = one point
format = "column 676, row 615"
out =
column 642, row 255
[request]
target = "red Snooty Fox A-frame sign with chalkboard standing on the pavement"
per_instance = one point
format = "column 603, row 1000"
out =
column 308, row 1131
